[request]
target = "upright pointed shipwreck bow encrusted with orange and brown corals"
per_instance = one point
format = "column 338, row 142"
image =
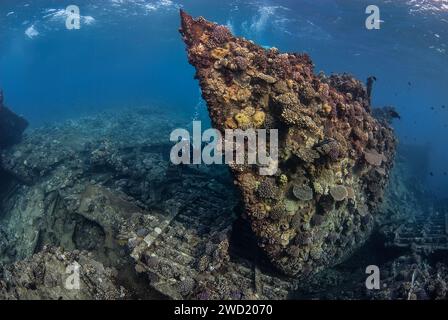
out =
column 334, row 157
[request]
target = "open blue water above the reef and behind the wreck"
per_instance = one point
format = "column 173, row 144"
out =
column 129, row 53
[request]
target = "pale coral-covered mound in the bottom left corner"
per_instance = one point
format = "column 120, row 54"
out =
column 44, row 276
